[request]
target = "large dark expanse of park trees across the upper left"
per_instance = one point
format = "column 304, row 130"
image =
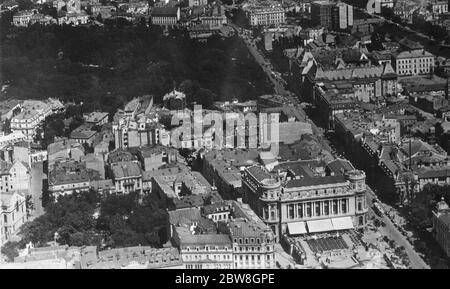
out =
column 105, row 66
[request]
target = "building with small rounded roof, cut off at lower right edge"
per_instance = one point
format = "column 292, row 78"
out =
column 441, row 225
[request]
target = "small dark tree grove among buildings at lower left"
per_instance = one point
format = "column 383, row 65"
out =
column 90, row 219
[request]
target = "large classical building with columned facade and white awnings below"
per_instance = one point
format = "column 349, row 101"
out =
column 307, row 204
